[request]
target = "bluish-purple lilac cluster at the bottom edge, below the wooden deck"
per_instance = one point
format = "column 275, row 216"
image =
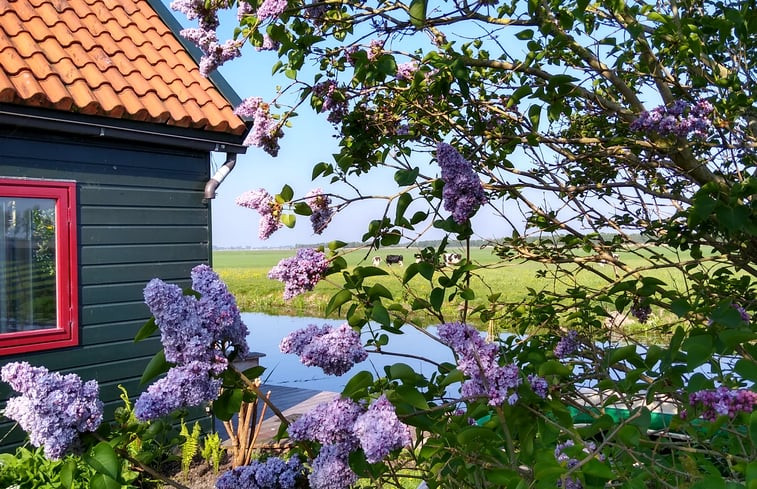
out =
column 272, row 473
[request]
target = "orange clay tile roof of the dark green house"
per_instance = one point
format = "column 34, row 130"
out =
column 113, row 58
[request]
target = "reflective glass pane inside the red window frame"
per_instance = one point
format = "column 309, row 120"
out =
column 27, row 265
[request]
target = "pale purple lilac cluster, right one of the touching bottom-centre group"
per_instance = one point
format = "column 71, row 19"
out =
column 380, row 431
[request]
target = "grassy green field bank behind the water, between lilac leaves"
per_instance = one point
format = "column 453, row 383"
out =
column 245, row 271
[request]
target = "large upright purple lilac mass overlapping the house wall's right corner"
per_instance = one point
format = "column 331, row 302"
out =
column 197, row 335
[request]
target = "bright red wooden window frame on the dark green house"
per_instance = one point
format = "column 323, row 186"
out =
column 67, row 271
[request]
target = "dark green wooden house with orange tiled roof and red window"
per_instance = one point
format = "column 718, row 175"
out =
column 106, row 134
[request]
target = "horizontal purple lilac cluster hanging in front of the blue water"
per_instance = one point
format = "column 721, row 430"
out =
column 335, row 350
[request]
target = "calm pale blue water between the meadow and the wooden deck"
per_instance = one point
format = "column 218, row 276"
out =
column 267, row 331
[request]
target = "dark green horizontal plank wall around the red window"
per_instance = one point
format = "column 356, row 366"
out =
column 141, row 216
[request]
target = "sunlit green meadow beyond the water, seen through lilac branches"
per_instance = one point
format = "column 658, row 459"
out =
column 245, row 272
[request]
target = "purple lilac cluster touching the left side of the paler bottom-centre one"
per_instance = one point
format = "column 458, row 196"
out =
column 328, row 423
